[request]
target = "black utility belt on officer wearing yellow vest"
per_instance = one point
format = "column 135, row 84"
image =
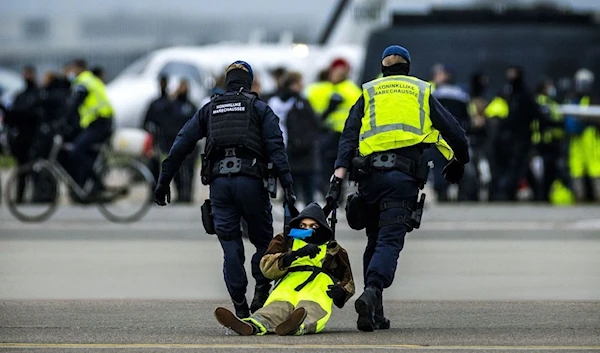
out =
column 362, row 166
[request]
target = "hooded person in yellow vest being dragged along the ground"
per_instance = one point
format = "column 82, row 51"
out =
column 313, row 273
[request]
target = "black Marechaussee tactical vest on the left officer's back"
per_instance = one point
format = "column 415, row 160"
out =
column 233, row 123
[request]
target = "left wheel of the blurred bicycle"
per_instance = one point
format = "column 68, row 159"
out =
column 32, row 192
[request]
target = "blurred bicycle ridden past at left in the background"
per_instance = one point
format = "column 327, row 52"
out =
column 121, row 186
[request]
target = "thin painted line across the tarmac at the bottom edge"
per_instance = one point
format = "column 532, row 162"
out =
column 288, row 346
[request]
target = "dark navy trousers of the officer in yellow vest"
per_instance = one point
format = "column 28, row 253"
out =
column 385, row 243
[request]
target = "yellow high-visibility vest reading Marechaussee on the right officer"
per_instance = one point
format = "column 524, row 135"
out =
column 396, row 115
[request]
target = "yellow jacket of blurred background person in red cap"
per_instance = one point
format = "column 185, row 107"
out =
column 320, row 93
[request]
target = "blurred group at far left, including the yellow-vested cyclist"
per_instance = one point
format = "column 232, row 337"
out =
column 72, row 104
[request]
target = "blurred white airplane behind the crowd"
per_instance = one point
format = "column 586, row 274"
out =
column 133, row 90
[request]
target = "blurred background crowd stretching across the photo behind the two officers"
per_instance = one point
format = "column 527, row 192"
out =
column 521, row 145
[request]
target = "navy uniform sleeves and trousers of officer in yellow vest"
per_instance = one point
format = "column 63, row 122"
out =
column 385, row 243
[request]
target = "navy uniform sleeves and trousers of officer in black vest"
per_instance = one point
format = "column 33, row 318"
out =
column 235, row 197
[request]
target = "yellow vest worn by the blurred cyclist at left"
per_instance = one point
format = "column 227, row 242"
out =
column 96, row 104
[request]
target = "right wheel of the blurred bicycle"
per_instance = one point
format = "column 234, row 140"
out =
column 127, row 194
